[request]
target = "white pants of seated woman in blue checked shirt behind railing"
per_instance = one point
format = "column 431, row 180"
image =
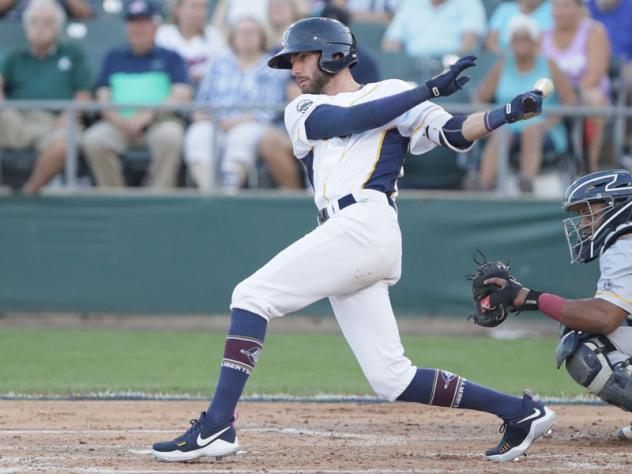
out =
column 240, row 147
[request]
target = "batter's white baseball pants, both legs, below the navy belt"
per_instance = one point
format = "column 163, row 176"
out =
column 352, row 258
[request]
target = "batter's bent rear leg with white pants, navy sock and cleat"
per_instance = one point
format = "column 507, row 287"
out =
column 367, row 321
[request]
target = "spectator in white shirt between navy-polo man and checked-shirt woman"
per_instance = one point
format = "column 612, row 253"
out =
column 189, row 36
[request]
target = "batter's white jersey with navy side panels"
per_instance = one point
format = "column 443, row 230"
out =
column 367, row 160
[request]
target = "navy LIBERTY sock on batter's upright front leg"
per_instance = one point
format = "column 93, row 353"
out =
column 241, row 351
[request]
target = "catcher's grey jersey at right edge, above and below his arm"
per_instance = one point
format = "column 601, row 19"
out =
column 615, row 286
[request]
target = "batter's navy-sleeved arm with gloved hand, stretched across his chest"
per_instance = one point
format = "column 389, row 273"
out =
column 328, row 121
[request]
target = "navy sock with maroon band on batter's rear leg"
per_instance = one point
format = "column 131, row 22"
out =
column 442, row 388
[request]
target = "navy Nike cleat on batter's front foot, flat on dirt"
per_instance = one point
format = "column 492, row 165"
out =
column 199, row 440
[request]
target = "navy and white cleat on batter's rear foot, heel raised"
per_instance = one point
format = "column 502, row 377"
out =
column 522, row 431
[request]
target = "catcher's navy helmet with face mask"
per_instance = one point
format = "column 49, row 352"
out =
column 587, row 234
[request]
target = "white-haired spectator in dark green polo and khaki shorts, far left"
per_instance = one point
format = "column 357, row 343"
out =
column 45, row 70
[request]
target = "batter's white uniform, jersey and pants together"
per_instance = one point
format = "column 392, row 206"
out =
column 354, row 256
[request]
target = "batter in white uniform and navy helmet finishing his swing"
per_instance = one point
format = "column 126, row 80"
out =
column 352, row 139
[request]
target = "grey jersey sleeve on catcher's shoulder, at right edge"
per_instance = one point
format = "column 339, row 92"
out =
column 615, row 281
